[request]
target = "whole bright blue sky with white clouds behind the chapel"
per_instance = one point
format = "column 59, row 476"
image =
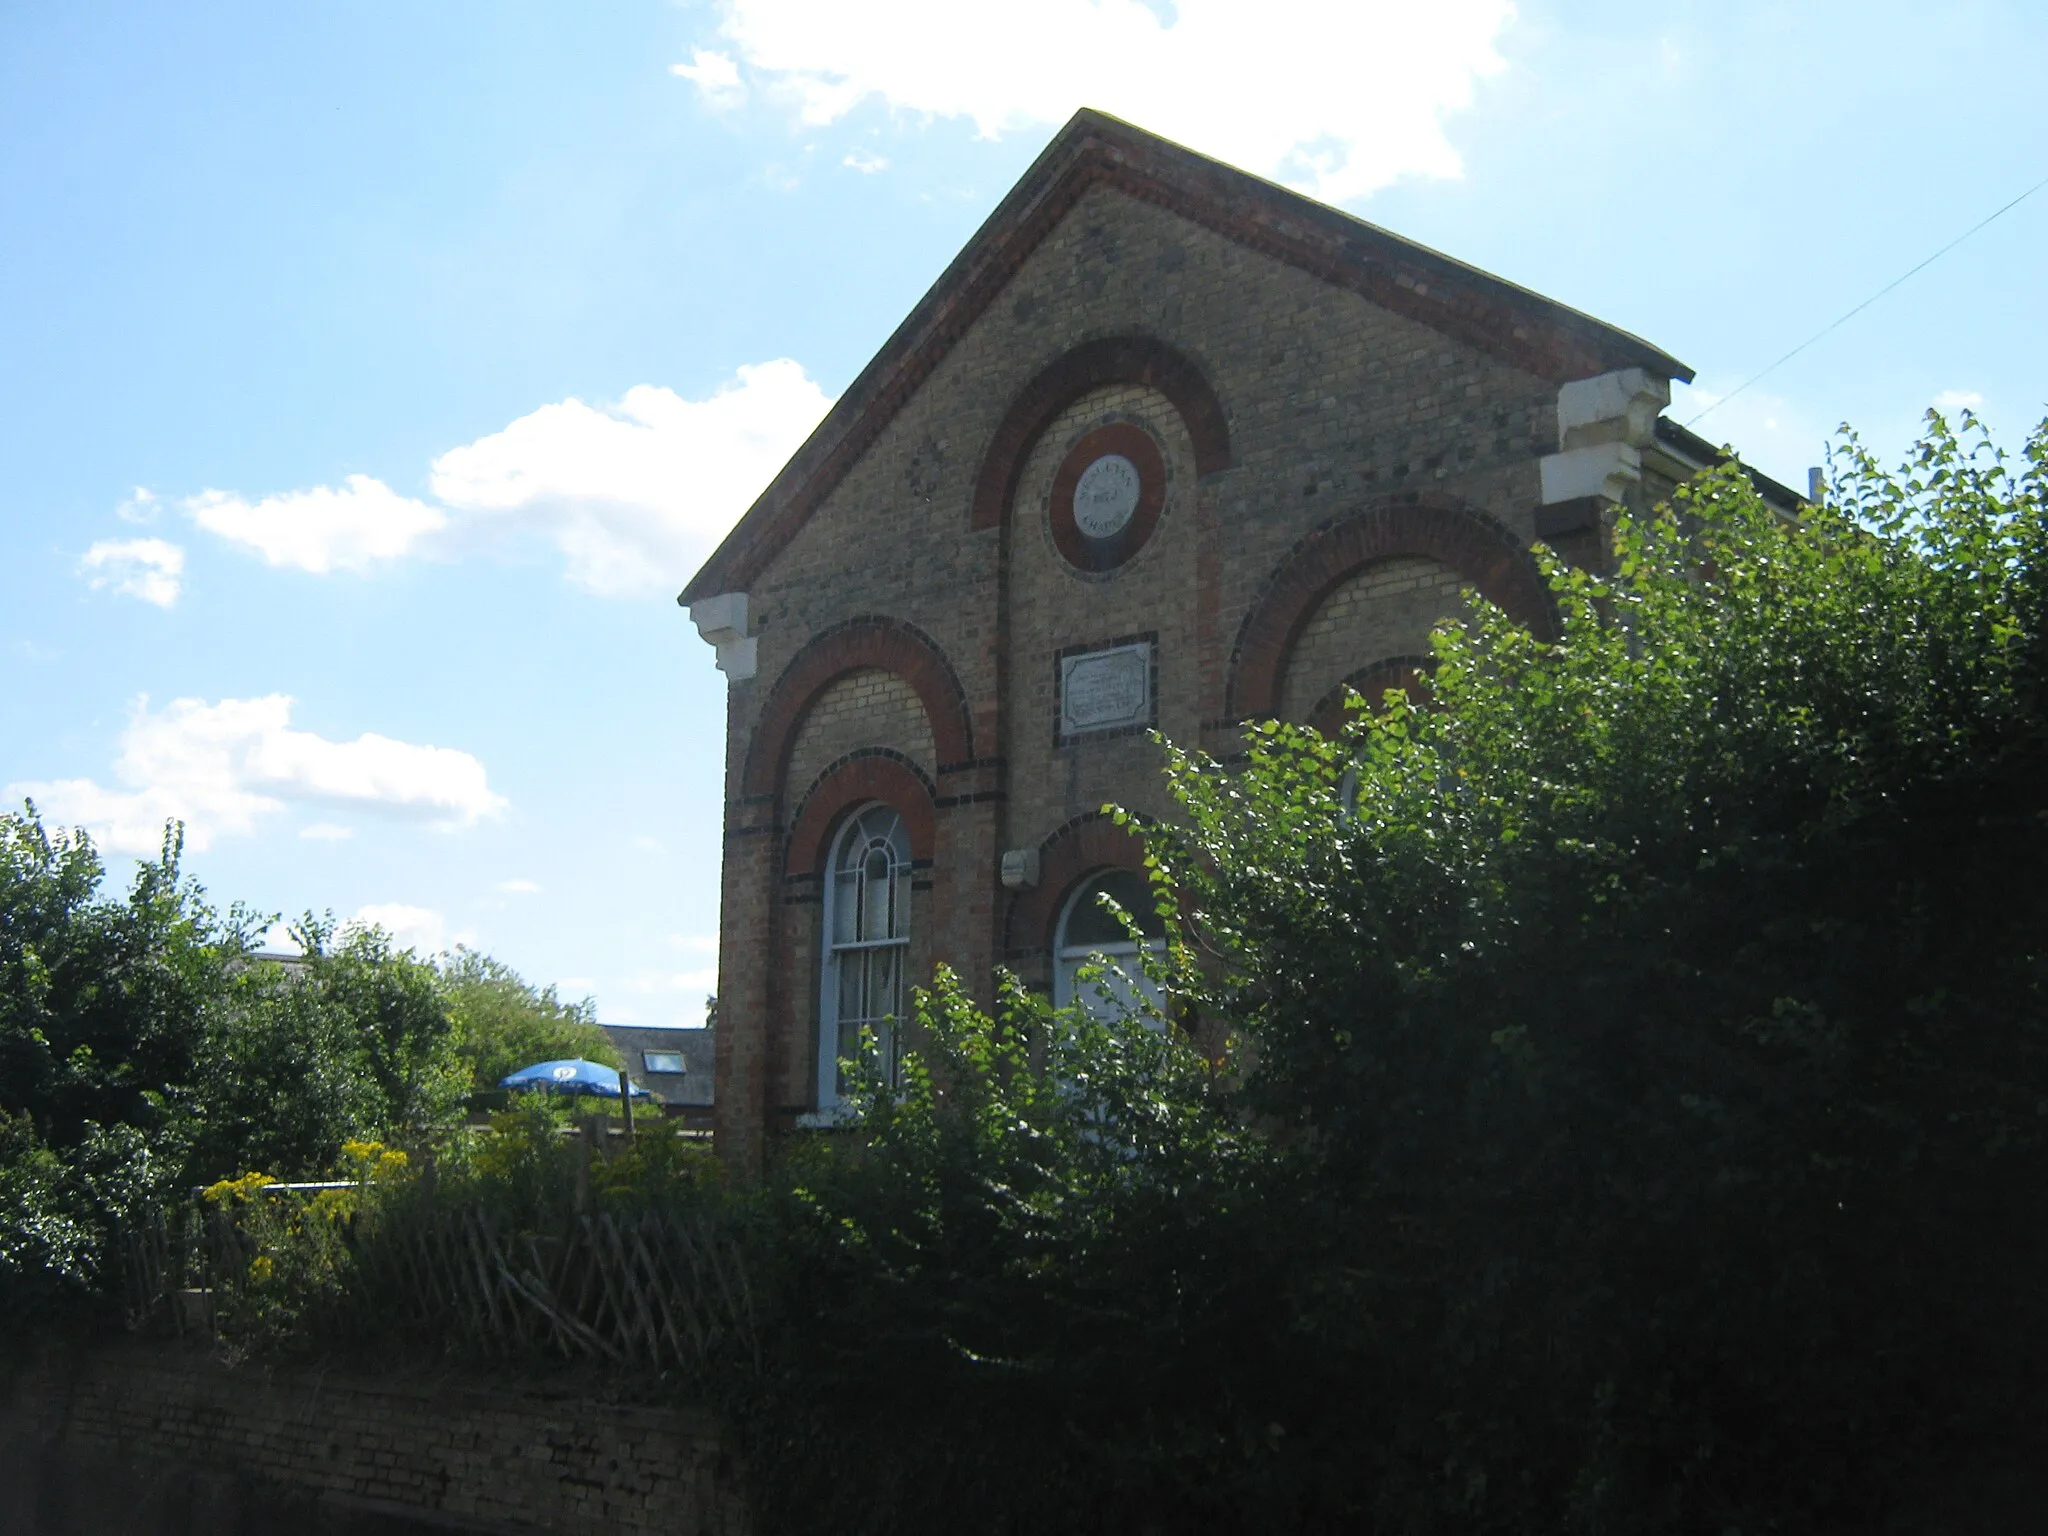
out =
column 374, row 376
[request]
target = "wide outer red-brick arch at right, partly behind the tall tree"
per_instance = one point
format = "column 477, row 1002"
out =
column 1418, row 525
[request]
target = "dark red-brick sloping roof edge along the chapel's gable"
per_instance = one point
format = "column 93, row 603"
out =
column 1099, row 151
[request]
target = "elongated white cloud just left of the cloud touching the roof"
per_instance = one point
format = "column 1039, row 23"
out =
column 323, row 529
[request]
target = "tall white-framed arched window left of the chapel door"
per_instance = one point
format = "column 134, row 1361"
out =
column 867, row 945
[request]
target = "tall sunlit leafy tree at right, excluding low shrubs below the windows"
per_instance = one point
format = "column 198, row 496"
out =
column 1658, row 1019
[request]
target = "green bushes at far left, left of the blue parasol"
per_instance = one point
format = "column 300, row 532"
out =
column 144, row 1050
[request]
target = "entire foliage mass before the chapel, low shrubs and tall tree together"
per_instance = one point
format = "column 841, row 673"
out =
column 1635, row 1115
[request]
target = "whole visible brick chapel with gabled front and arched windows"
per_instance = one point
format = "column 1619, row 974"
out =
column 1166, row 447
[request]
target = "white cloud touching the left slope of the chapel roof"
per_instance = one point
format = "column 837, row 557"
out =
column 634, row 495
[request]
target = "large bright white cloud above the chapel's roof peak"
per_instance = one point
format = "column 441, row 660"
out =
column 1336, row 97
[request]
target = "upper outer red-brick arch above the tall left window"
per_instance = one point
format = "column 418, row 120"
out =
column 853, row 646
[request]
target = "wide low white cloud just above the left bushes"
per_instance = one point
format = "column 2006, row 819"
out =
column 224, row 767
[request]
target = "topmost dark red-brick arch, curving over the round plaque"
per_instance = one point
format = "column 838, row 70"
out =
column 1091, row 366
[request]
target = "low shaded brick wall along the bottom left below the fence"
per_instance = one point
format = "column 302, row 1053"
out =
column 159, row 1441
